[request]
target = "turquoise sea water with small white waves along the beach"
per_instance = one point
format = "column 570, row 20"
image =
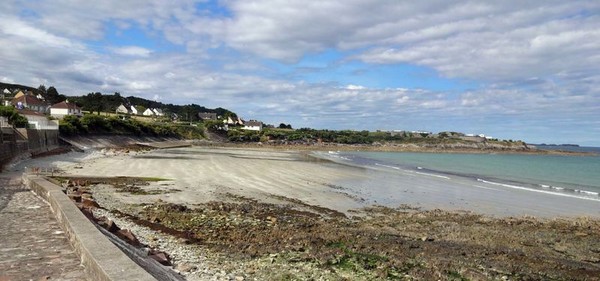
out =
column 576, row 175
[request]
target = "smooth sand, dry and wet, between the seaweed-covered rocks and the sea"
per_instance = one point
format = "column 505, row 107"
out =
column 202, row 175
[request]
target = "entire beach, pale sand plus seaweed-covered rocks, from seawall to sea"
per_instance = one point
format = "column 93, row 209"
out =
column 259, row 214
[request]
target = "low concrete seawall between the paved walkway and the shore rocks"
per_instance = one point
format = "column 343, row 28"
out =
column 102, row 259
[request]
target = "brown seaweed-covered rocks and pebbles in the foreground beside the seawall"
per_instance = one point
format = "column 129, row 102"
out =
column 239, row 238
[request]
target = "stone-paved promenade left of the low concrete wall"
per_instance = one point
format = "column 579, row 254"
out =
column 32, row 245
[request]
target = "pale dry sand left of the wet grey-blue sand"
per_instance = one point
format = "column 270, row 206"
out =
column 199, row 175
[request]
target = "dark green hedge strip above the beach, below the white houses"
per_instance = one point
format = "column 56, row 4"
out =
column 97, row 124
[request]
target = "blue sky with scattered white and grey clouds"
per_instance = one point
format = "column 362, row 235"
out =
column 522, row 70
